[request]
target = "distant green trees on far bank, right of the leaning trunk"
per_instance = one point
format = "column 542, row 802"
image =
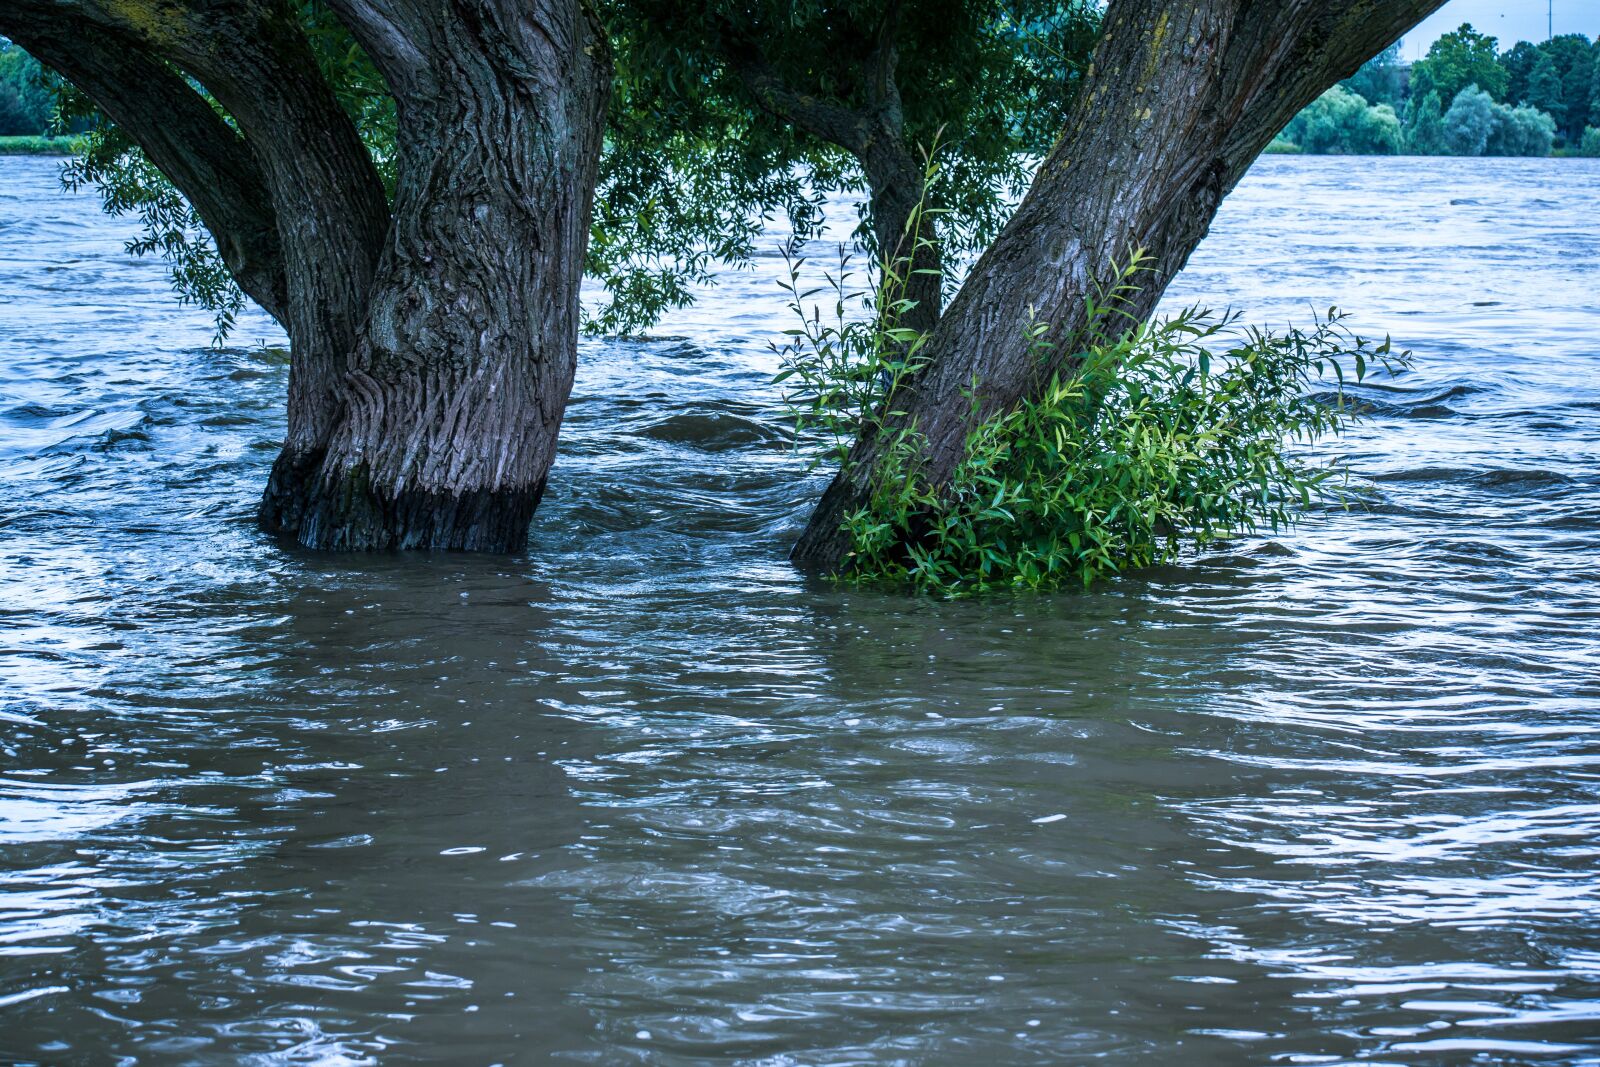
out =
column 1465, row 98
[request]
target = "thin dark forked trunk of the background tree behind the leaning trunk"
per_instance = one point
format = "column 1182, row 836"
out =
column 876, row 135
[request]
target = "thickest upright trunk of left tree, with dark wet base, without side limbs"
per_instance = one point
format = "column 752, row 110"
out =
column 454, row 394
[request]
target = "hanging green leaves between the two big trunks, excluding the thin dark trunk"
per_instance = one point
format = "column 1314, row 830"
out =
column 700, row 162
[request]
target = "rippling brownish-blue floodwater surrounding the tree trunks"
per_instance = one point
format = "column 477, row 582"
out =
column 650, row 797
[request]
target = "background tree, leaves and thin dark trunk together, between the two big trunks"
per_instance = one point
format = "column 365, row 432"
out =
column 855, row 92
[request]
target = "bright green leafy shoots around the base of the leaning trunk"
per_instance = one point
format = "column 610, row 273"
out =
column 1156, row 436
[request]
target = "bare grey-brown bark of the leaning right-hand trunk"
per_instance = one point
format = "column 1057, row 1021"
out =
column 1182, row 97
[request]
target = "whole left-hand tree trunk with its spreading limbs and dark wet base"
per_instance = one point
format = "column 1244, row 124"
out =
column 433, row 345
